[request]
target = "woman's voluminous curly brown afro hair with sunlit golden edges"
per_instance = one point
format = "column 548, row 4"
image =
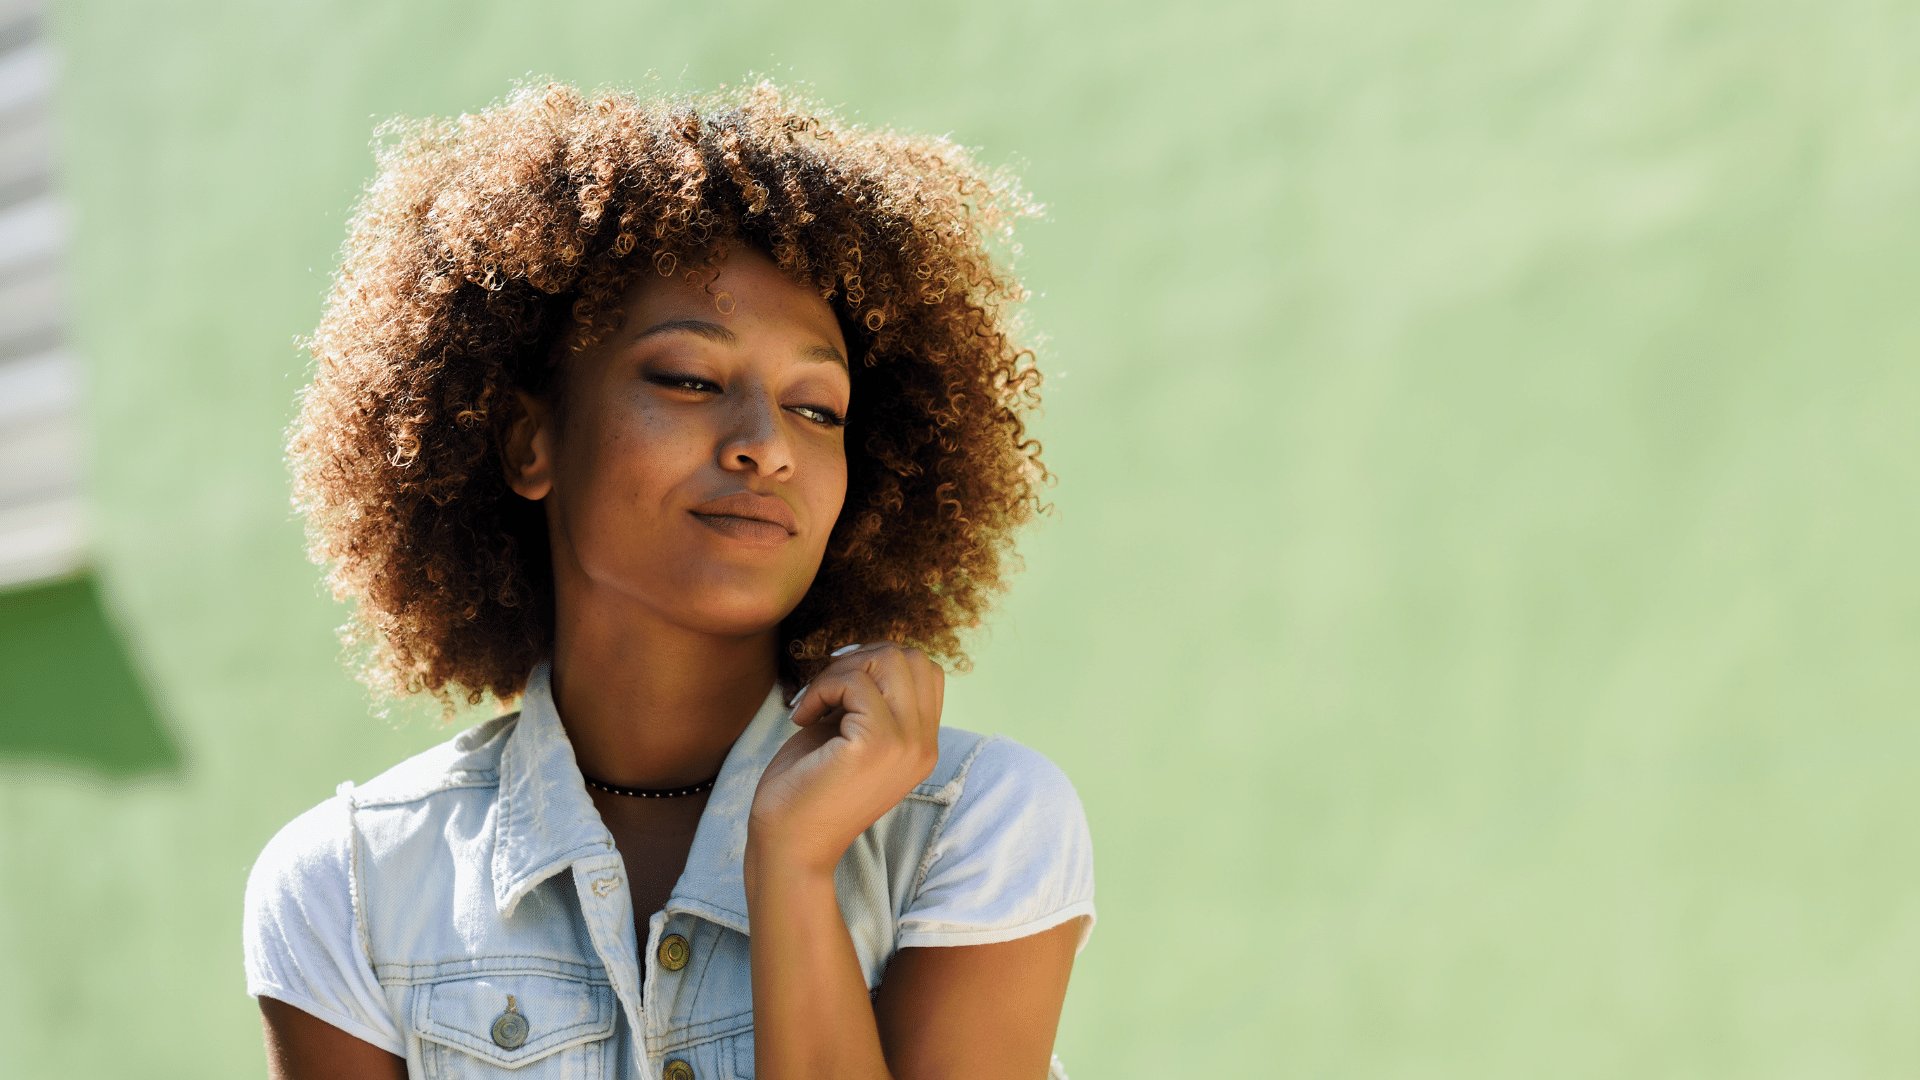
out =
column 491, row 245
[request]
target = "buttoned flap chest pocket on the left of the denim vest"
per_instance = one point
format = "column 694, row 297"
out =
column 535, row 1027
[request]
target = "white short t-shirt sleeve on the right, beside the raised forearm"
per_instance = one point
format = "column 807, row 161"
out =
column 1011, row 860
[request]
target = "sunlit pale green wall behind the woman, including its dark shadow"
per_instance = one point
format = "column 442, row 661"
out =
column 1479, row 614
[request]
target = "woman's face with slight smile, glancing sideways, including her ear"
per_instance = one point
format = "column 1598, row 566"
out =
column 679, row 408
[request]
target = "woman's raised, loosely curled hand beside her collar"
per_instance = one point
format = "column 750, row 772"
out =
column 869, row 735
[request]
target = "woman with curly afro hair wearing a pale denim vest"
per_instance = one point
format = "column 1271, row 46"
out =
column 633, row 412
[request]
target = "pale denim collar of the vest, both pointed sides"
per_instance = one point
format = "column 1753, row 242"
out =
column 546, row 822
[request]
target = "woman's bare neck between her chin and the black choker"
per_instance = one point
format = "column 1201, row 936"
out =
column 650, row 704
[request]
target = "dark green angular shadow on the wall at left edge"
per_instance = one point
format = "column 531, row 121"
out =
column 72, row 689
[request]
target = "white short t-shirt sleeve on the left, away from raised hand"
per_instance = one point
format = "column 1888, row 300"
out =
column 300, row 939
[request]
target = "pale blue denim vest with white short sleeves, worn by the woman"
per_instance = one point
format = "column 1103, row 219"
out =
column 492, row 914
